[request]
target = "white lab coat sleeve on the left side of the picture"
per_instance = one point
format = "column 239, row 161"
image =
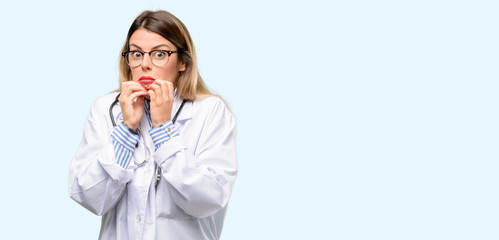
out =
column 95, row 180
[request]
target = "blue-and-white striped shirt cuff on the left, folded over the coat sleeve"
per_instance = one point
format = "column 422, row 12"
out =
column 124, row 143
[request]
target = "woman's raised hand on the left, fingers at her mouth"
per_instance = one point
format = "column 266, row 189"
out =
column 132, row 109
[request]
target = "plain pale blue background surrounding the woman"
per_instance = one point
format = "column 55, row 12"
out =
column 356, row 119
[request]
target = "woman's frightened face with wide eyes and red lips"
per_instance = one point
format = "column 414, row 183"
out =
column 146, row 41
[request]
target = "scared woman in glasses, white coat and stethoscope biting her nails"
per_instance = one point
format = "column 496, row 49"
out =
column 158, row 159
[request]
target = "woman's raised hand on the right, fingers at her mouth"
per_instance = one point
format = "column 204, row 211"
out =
column 161, row 96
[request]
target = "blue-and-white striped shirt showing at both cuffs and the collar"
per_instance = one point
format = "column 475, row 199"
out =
column 125, row 141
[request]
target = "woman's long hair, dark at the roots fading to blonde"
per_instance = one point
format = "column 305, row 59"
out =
column 190, row 85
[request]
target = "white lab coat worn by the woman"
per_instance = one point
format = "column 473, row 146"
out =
column 198, row 172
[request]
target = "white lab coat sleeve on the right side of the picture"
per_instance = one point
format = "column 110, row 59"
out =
column 201, row 179
